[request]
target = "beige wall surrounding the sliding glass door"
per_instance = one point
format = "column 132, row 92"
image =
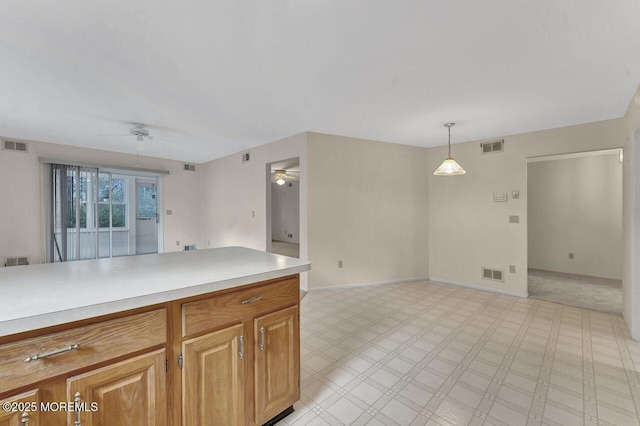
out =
column 22, row 214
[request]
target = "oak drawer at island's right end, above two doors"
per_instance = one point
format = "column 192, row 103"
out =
column 238, row 306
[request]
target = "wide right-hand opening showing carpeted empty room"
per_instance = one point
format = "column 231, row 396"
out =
column 575, row 241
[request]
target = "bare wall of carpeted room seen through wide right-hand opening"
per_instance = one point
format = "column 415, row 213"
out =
column 575, row 206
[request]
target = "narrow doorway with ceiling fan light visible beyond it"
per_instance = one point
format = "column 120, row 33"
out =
column 283, row 207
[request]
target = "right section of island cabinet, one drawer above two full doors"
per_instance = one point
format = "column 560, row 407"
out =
column 253, row 335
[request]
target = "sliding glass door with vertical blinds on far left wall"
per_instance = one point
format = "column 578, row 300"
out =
column 100, row 213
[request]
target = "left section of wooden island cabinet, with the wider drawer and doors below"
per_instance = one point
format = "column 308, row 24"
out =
column 115, row 366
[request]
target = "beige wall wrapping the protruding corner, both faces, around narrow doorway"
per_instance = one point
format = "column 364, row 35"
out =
column 362, row 202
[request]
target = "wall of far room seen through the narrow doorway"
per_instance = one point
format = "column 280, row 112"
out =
column 285, row 212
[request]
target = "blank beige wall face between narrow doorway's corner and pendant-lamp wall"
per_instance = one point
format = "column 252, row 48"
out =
column 368, row 208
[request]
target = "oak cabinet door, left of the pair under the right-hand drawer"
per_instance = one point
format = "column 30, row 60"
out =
column 213, row 378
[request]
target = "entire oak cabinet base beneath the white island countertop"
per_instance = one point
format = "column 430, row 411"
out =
column 225, row 358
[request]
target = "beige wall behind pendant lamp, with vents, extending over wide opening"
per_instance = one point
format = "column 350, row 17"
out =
column 467, row 230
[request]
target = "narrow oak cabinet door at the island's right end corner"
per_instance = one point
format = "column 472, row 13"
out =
column 277, row 361
